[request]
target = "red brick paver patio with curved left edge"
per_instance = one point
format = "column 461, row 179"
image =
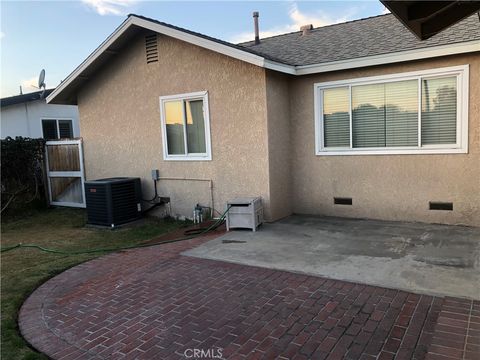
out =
column 154, row 303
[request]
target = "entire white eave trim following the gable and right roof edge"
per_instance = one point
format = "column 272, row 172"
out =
column 257, row 60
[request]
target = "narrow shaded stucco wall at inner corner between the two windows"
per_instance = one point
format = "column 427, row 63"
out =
column 279, row 144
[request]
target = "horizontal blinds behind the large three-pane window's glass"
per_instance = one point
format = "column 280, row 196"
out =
column 386, row 114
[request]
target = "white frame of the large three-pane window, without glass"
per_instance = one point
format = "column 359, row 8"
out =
column 461, row 146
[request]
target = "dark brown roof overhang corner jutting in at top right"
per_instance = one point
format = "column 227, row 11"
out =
column 427, row 18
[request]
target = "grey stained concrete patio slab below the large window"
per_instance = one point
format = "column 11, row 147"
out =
column 423, row 258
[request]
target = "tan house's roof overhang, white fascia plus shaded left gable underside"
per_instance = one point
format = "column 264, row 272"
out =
column 66, row 91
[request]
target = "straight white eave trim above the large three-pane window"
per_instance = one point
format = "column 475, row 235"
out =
column 402, row 56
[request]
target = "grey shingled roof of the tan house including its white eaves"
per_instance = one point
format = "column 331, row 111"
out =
column 372, row 41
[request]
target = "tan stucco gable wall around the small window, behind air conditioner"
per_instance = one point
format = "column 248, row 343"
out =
column 120, row 123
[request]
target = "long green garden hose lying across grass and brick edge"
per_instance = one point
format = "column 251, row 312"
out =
column 212, row 227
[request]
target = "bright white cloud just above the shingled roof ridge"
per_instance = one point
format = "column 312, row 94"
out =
column 297, row 19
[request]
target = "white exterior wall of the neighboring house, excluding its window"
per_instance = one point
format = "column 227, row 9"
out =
column 26, row 119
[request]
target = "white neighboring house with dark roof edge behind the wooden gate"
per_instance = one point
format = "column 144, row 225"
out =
column 29, row 115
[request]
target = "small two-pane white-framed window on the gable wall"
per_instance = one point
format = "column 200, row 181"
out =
column 185, row 126
